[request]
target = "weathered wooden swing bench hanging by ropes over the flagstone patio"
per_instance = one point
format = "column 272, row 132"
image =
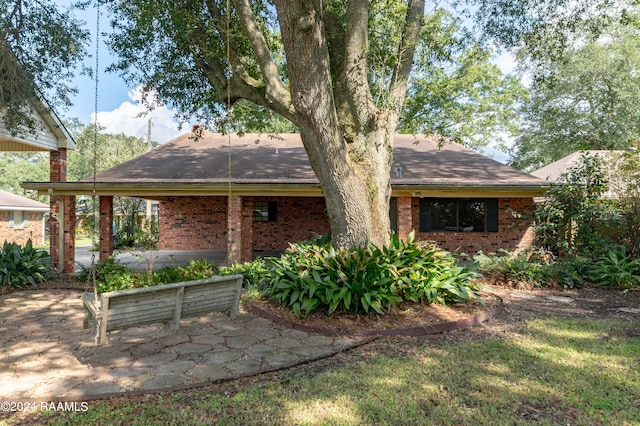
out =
column 166, row 303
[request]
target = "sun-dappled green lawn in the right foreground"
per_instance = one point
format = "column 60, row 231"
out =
column 552, row 371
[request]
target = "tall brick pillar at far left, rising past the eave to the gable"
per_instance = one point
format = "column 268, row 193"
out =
column 57, row 173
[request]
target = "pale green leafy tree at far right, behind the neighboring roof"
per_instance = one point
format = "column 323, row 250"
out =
column 588, row 99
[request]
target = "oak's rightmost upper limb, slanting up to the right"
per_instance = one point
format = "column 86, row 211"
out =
column 407, row 49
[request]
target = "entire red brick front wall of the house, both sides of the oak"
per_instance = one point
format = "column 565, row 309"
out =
column 194, row 223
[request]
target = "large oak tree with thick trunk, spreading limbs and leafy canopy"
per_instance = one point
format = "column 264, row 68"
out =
column 337, row 69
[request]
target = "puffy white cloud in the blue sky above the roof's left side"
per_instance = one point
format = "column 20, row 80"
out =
column 126, row 119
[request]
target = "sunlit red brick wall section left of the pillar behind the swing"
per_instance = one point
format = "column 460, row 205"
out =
column 193, row 223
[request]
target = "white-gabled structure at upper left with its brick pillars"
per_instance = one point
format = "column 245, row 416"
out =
column 51, row 136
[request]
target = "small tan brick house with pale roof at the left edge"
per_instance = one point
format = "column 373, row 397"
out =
column 21, row 219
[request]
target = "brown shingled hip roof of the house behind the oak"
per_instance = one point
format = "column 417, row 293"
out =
column 259, row 161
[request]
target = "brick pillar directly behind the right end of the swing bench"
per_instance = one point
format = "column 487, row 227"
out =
column 240, row 229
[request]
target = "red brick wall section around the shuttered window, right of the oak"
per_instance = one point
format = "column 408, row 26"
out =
column 513, row 235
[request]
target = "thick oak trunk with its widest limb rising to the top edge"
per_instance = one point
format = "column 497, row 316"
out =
column 353, row 169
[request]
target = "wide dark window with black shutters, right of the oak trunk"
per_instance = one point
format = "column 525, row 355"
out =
column 458, row 215
